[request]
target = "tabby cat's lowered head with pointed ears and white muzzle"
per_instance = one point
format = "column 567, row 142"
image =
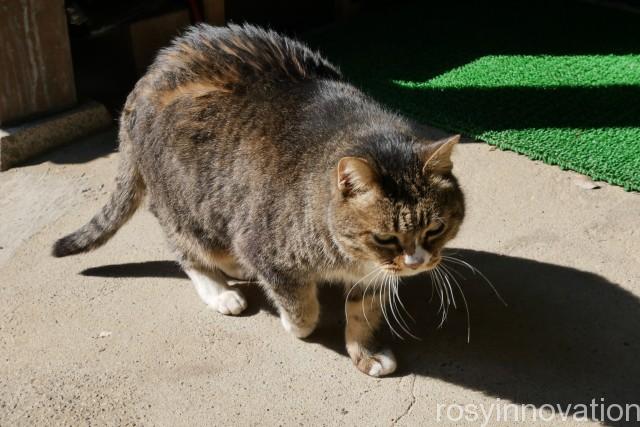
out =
column 397, row 204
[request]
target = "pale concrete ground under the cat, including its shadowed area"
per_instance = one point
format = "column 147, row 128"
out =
column 118, row 336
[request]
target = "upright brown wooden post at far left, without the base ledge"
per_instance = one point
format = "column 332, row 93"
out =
column 36, row 73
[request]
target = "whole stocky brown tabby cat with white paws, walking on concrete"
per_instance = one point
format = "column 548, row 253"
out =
column 262, row 163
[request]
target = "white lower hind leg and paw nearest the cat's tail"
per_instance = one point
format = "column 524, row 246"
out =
column 213, row 289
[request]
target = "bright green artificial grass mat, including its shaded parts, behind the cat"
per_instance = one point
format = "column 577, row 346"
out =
column 557, row 83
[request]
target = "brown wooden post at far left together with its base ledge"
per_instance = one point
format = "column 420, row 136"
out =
column 36, row 77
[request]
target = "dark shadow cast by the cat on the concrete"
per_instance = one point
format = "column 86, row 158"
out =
column 566, row 336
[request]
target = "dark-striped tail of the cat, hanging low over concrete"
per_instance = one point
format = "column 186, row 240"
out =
column 124, row 201
